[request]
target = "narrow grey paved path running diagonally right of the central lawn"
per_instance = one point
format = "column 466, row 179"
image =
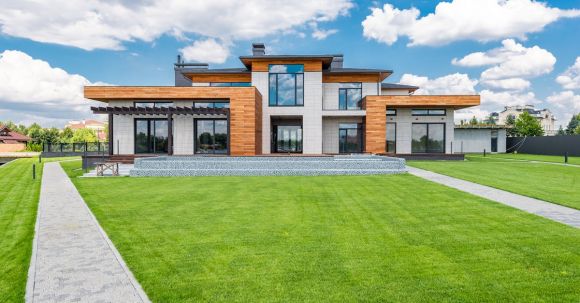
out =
column 545, row 209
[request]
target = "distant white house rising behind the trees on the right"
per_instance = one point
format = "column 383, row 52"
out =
column 544, row 116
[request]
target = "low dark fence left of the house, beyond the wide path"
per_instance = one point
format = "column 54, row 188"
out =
column 74, row 149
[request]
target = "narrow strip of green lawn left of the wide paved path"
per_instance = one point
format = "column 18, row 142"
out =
column 18, row 203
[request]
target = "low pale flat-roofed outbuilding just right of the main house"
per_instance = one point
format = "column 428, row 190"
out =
column 477, row 138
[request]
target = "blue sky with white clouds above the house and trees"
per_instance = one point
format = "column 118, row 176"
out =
column 511, row 52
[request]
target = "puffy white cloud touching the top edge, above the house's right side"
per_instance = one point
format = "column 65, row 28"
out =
column 481, row 20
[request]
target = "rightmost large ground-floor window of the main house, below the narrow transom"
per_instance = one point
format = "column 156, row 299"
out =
column 428, row 138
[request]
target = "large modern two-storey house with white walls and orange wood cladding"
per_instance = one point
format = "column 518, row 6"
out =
column 309, row 104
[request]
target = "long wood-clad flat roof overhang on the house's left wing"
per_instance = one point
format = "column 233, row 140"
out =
column 130, row 93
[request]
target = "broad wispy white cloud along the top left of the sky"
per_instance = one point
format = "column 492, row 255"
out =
column 108, row 24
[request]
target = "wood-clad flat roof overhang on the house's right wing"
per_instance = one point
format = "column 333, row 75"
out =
column 426, row 101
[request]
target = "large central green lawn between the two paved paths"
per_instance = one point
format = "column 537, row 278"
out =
column 330, row 238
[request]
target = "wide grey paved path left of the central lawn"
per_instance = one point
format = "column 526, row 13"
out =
column 73, row 260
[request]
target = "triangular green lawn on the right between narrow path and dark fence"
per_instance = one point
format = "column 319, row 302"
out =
column 554, row 183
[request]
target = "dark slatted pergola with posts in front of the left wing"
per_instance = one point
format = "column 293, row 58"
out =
column 169, row 111
